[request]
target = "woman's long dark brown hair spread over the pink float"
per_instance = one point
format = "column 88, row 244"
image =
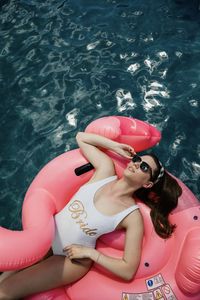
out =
column 162, row 198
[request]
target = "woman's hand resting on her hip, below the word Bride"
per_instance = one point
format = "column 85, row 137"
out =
column 75, row 251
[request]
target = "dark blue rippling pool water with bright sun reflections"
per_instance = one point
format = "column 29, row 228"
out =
column 65, row 63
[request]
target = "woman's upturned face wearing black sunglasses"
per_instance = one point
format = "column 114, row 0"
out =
column 141, row 169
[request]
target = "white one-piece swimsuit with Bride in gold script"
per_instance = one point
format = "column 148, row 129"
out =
column 79, row 222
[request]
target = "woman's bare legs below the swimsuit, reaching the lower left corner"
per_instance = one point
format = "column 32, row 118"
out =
column 53, row 272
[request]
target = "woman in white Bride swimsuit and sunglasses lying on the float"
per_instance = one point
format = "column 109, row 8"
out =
column 111, row 206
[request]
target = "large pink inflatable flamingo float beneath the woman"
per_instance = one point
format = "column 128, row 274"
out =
column 169, row 269
